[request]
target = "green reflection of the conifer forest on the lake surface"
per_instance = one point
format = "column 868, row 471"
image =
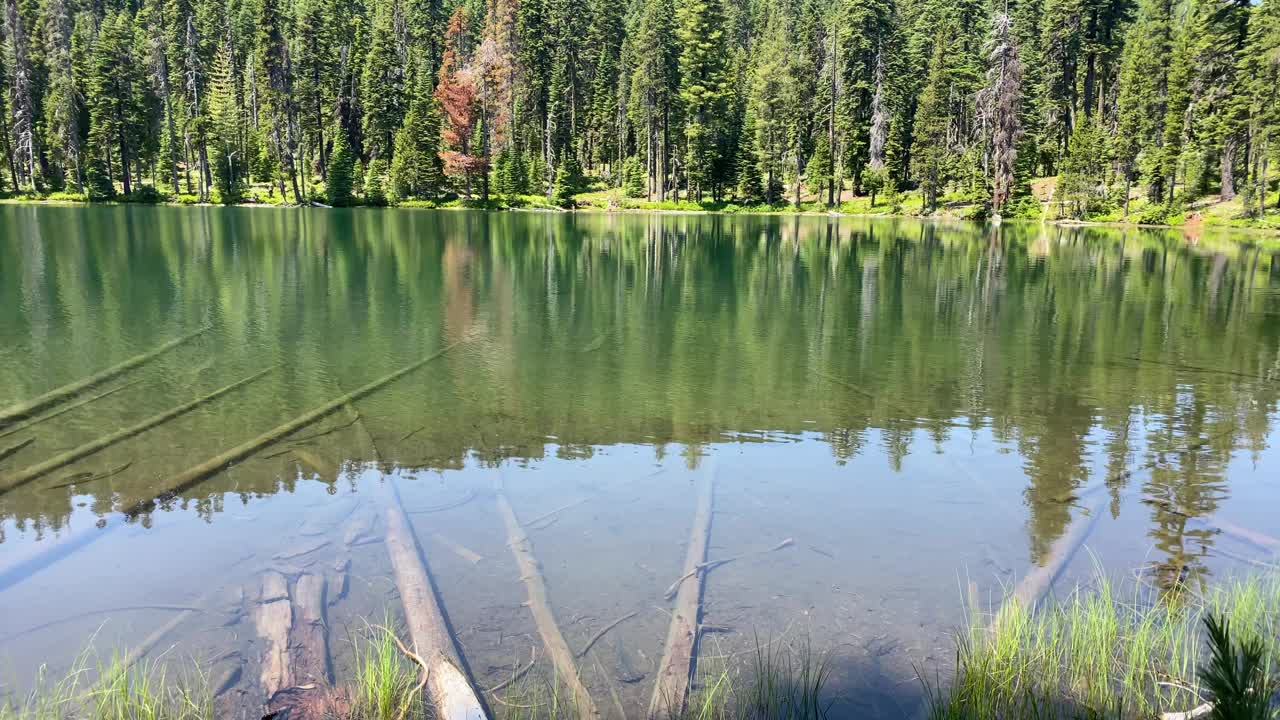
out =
column 665, row 330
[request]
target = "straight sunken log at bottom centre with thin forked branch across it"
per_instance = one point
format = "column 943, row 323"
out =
column 676, row 669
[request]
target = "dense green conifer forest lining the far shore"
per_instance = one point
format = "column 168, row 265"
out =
column 758, row 103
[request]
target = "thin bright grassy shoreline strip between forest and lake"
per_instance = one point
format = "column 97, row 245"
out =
column 1187, row 229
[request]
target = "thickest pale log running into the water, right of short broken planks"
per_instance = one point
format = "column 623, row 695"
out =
column 452, row 695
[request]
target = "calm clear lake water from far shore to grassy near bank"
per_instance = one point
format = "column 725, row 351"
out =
column 916, row 405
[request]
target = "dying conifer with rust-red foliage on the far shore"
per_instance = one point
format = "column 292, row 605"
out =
column 456, row 93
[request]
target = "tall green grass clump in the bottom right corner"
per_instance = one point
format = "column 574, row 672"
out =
column 1095, row 655
